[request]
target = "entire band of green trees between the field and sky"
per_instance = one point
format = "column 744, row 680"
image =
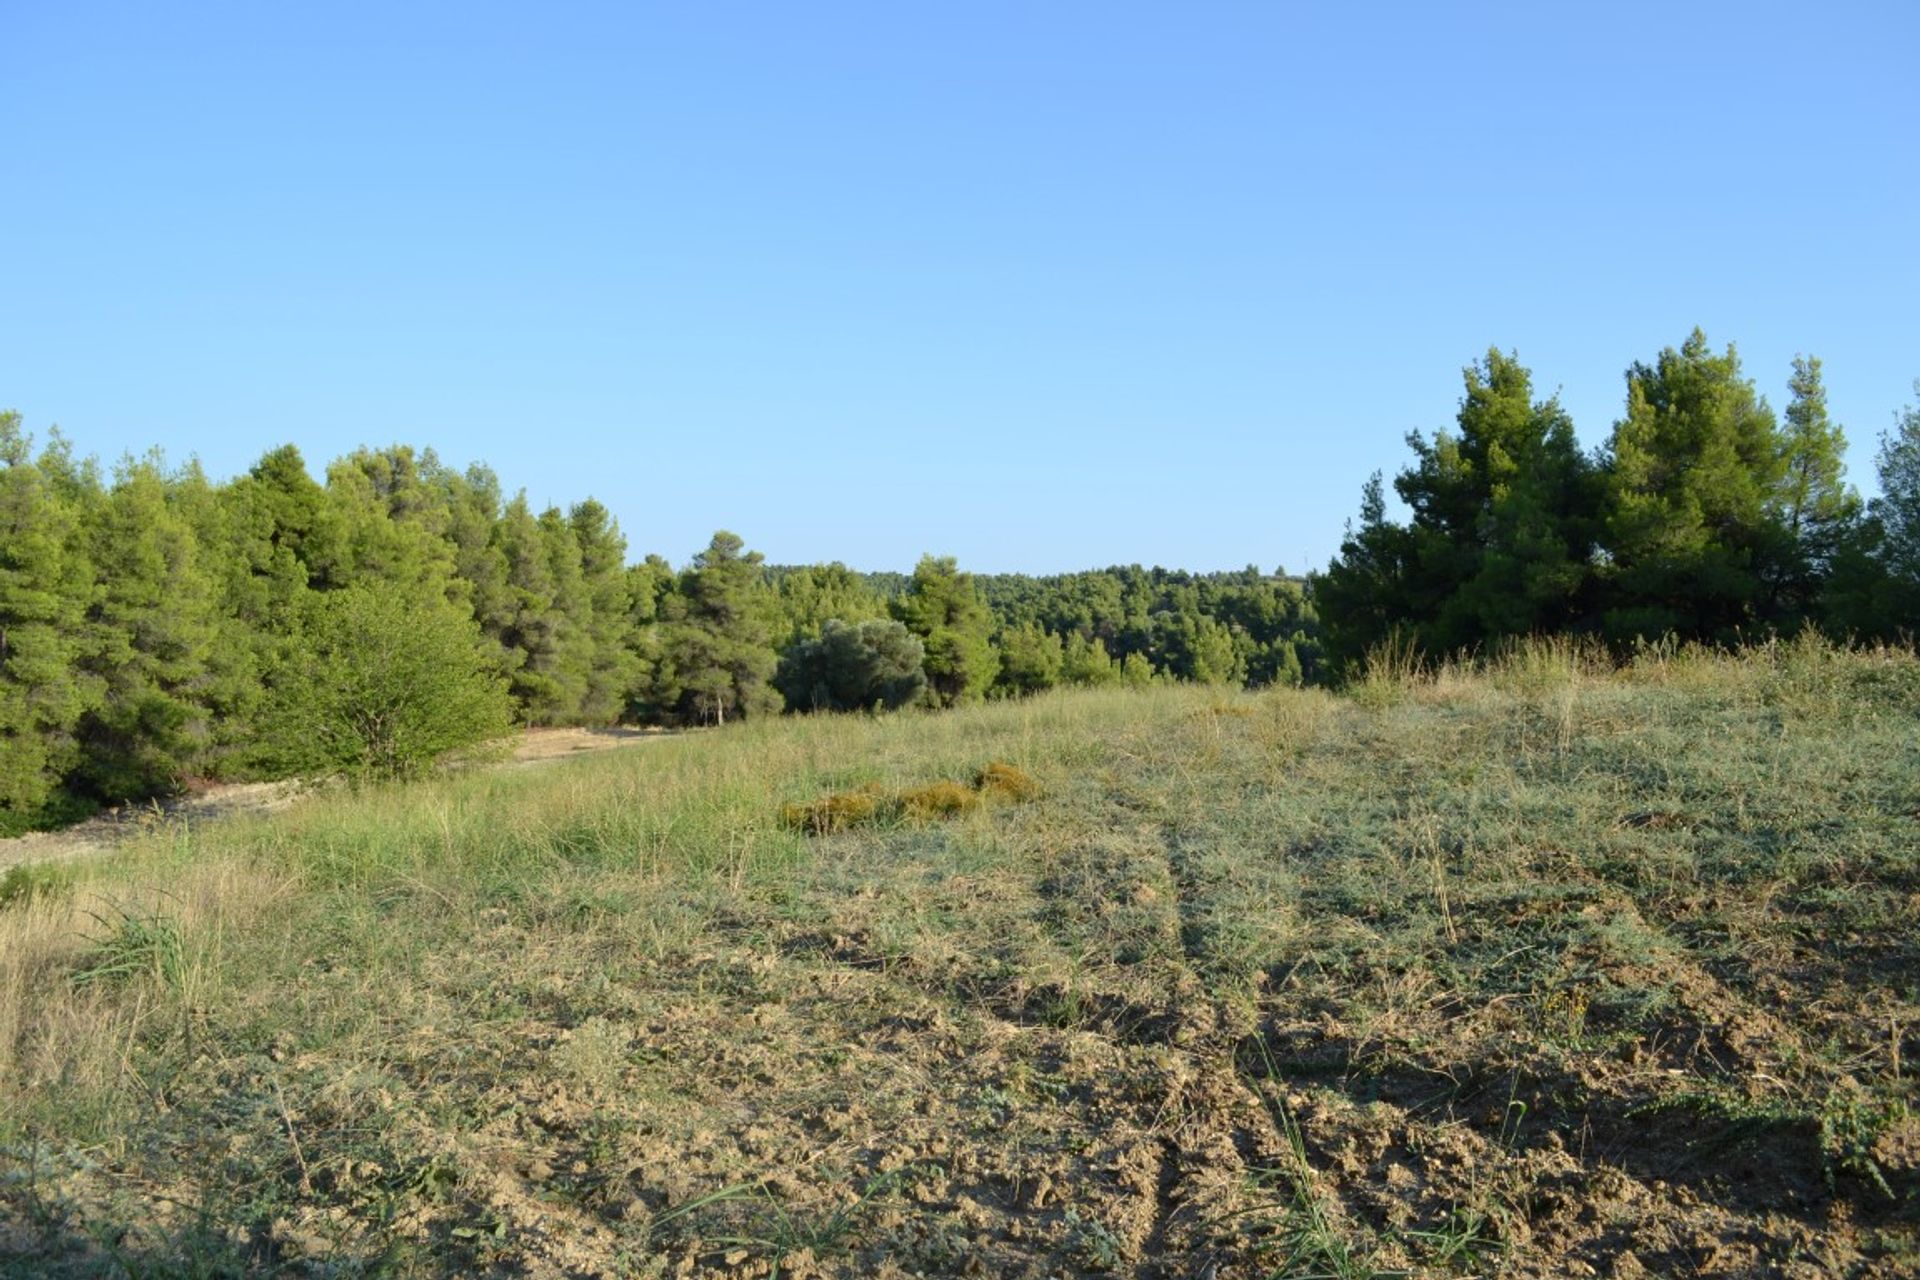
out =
column 160, row 630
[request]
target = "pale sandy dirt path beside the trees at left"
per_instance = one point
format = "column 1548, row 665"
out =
column 233, row 799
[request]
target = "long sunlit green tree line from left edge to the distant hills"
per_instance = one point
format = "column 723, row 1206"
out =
column 160, row 628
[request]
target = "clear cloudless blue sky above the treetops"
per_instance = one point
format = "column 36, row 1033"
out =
column 1036, row 285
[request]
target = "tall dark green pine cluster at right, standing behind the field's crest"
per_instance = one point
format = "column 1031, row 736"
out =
column 1704, row 517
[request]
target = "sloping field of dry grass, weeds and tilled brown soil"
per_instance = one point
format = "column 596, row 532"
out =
column 1537, row 972
